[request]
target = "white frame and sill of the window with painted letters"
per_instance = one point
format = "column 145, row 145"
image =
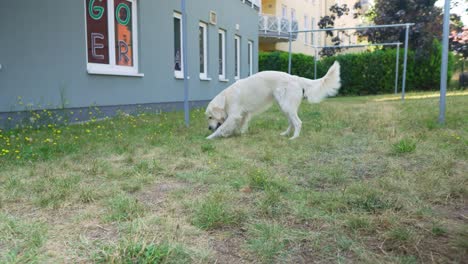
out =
column 112, row 68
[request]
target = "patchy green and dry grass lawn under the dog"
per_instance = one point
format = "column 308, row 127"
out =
column 370, row 180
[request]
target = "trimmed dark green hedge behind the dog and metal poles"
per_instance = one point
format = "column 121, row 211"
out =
column 366, row 72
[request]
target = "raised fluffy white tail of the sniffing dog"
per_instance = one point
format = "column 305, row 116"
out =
column 317, row 90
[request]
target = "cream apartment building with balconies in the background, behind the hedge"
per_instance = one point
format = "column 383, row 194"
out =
column 279, row 16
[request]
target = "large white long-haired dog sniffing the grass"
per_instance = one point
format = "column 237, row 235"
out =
column 231, row 110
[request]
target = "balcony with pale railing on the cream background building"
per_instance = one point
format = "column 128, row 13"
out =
column 276, row 29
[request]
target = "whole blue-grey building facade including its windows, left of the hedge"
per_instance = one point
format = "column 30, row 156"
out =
column 121, row 53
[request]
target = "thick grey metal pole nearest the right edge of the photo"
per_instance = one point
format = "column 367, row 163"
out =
column 444, row 67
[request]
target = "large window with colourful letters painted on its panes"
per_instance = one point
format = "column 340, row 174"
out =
column 111, row 36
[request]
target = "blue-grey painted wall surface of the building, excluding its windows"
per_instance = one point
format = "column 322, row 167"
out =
column 44, row 61
